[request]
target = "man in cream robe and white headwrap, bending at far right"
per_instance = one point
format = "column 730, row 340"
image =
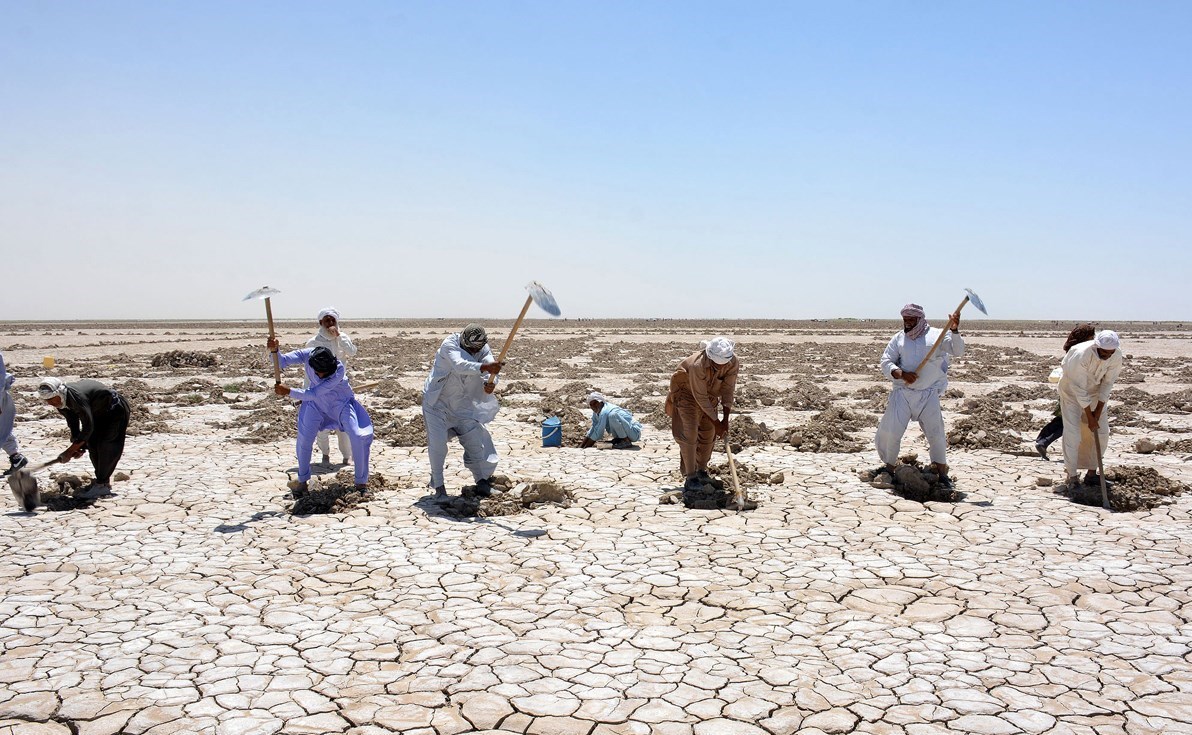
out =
column 1090, row 370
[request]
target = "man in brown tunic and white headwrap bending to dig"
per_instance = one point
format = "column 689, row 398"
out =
column 703, row 382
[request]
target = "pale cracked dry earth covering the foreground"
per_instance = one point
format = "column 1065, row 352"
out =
column 191, row 602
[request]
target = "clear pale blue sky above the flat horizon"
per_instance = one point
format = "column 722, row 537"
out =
column 160, row 160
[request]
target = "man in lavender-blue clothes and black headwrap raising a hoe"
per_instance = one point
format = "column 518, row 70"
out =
column 328, row 404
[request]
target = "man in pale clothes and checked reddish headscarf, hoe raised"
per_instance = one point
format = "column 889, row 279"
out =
column 917, row 395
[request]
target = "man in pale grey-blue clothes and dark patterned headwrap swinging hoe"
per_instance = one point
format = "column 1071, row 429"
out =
column 457, row 402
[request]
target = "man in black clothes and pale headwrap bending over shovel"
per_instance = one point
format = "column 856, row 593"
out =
column 98, row 418
